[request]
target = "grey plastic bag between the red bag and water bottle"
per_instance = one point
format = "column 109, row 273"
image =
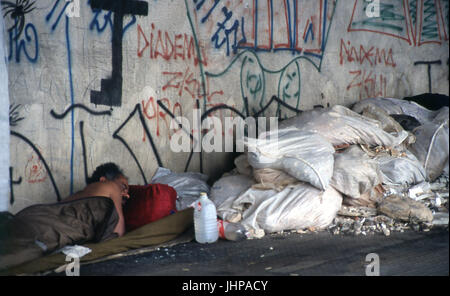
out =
column 187, row 185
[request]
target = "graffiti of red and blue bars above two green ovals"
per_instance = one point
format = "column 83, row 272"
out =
column 263, row 27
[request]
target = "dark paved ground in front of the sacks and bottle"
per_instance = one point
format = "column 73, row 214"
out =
column 408, row 253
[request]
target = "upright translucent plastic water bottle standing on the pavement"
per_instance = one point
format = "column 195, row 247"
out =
column 205, row 220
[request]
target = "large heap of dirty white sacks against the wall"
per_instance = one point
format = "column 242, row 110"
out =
column 301, row 175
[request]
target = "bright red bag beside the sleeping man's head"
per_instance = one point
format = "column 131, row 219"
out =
column 148, row 203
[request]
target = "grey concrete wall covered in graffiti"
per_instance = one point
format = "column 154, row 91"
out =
column 95, row 85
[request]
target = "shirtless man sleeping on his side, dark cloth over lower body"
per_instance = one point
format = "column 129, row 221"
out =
column 93, row 214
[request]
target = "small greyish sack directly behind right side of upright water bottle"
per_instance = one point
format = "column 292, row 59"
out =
column 229, row 187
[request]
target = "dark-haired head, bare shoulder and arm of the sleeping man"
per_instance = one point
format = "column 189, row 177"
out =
column 109, row 181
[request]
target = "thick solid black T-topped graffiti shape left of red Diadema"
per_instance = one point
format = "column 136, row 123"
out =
column 110, row 93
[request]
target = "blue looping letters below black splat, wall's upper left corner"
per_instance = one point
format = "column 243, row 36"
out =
column 21, row 46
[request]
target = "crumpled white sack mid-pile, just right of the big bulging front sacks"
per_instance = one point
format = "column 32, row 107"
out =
column 355, row 173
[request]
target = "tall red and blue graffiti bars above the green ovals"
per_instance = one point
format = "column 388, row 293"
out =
column 267, row 25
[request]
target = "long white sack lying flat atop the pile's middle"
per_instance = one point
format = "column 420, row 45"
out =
column 340, row 125
